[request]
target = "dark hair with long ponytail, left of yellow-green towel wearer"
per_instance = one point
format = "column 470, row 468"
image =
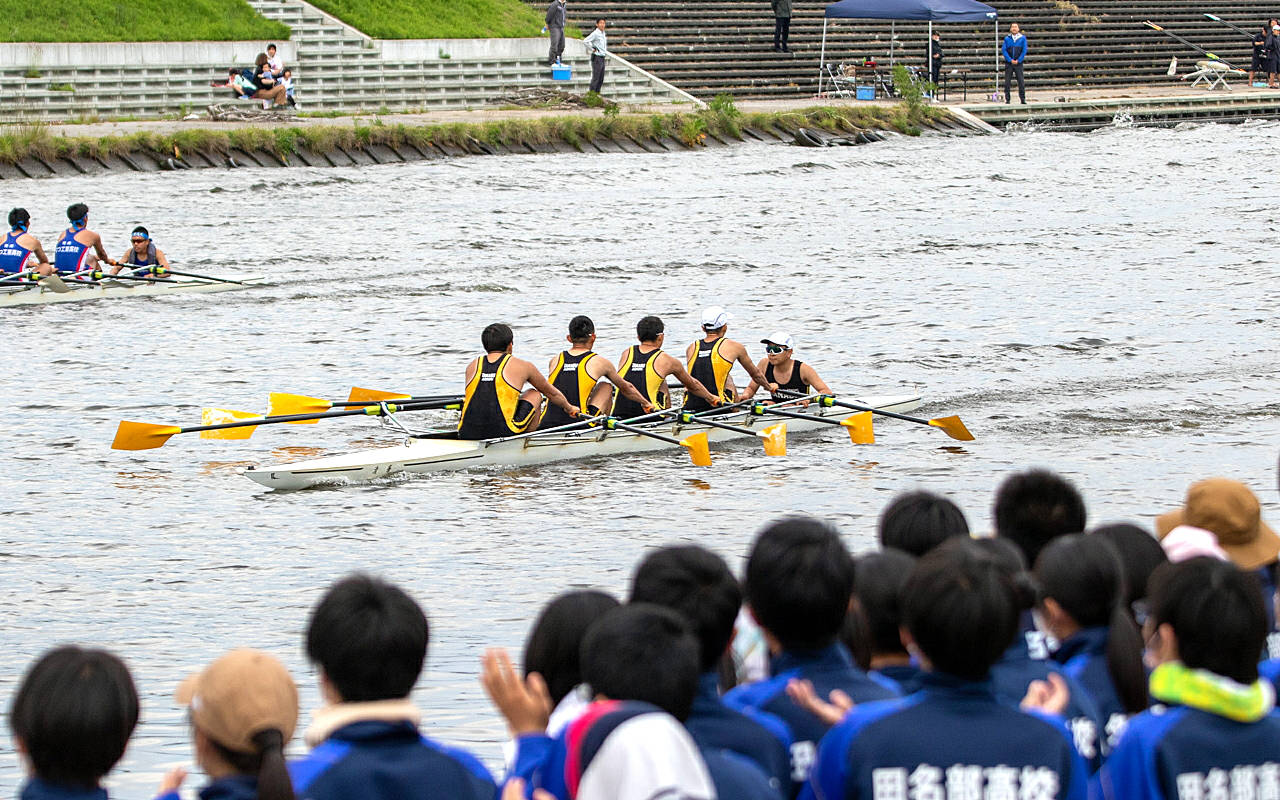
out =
column 1084, row 575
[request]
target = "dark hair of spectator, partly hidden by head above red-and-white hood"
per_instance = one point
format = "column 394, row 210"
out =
column 697, row 584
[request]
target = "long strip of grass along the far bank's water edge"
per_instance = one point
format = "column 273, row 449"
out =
column 723, row 121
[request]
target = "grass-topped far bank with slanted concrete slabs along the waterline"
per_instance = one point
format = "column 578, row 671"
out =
column 60, row 150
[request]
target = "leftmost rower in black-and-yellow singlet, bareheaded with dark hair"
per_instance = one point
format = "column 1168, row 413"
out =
column 495, row 405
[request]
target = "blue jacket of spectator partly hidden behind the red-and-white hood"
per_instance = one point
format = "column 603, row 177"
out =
column 753, row 734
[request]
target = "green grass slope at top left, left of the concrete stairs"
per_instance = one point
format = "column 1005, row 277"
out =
column 136, row 21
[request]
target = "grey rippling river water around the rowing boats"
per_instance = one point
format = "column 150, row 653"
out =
column 1099, row 304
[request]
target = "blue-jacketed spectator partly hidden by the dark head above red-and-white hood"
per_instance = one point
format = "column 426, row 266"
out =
column 698, row 584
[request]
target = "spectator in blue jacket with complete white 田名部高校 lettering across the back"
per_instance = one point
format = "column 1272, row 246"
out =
column 954, row 738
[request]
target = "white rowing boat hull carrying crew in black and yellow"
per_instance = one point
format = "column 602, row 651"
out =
column 435, row 452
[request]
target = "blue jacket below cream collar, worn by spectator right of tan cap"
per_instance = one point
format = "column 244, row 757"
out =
column 388, row 761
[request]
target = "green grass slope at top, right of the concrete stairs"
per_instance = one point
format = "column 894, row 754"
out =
column 437, row 19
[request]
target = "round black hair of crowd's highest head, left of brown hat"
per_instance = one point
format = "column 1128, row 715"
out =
column 1035, row 508
